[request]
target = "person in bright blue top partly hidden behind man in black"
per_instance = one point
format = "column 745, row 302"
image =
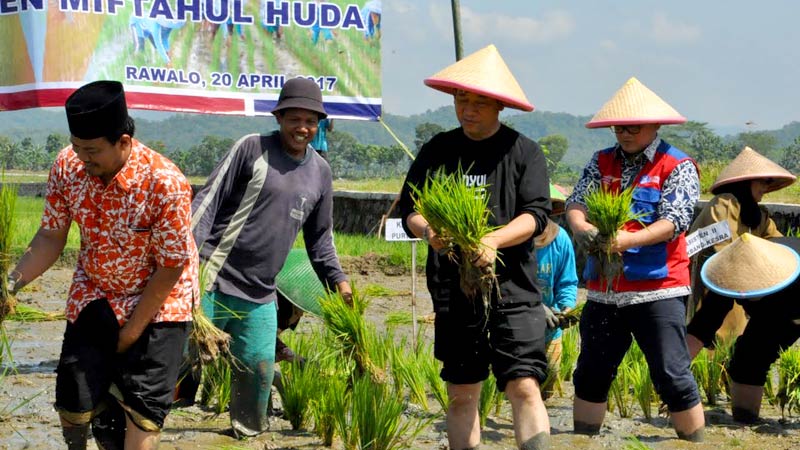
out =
column 558, row 281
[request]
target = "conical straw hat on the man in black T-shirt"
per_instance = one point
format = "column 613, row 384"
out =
column 483, row 72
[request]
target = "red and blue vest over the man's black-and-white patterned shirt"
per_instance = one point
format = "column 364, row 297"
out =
column 658, row 266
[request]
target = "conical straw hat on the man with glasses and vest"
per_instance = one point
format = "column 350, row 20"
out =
column 635, row 104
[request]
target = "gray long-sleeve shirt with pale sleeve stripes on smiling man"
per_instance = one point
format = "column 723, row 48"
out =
column 249, row 213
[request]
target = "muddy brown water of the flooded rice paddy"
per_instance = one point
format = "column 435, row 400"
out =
column 34, row 424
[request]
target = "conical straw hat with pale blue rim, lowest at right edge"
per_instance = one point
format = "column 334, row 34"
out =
column 751, row 267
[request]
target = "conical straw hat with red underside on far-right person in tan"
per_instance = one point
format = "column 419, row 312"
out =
column 751, row 165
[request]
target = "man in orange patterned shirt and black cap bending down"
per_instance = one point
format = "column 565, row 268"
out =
column 129, row 306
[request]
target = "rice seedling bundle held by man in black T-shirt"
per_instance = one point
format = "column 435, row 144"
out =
column 459, row 215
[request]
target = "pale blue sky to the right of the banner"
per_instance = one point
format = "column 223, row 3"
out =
column 732, row 64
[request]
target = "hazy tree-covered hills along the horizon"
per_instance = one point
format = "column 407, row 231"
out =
column 182, row 131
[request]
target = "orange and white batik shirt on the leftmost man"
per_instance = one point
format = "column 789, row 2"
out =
column 140, row 221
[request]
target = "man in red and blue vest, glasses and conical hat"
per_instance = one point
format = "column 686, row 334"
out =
column 646, row 301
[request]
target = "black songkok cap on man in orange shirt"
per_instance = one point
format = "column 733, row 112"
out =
column 96, row 110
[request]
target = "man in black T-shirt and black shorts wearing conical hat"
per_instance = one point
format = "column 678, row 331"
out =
column 509, row 335
